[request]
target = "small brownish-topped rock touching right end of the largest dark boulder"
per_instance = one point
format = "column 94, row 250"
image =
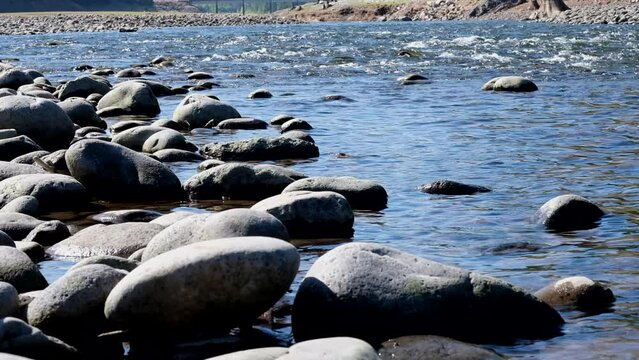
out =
column 578, row 291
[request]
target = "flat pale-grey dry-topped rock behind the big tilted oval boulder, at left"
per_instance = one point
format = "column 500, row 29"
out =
column 116, row 240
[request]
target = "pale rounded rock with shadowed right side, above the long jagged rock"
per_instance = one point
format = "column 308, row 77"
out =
column 198, row 110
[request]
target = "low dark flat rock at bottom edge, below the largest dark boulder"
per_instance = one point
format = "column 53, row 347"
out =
column 434, row 348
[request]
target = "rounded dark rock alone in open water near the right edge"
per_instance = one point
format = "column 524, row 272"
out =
column 569, row 212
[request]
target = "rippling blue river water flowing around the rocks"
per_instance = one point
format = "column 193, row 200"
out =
column 578, row 134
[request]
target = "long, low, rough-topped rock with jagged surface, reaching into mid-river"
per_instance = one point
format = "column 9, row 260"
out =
column 261, row 149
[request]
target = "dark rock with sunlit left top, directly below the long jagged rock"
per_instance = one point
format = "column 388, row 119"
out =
column 236, row 181
